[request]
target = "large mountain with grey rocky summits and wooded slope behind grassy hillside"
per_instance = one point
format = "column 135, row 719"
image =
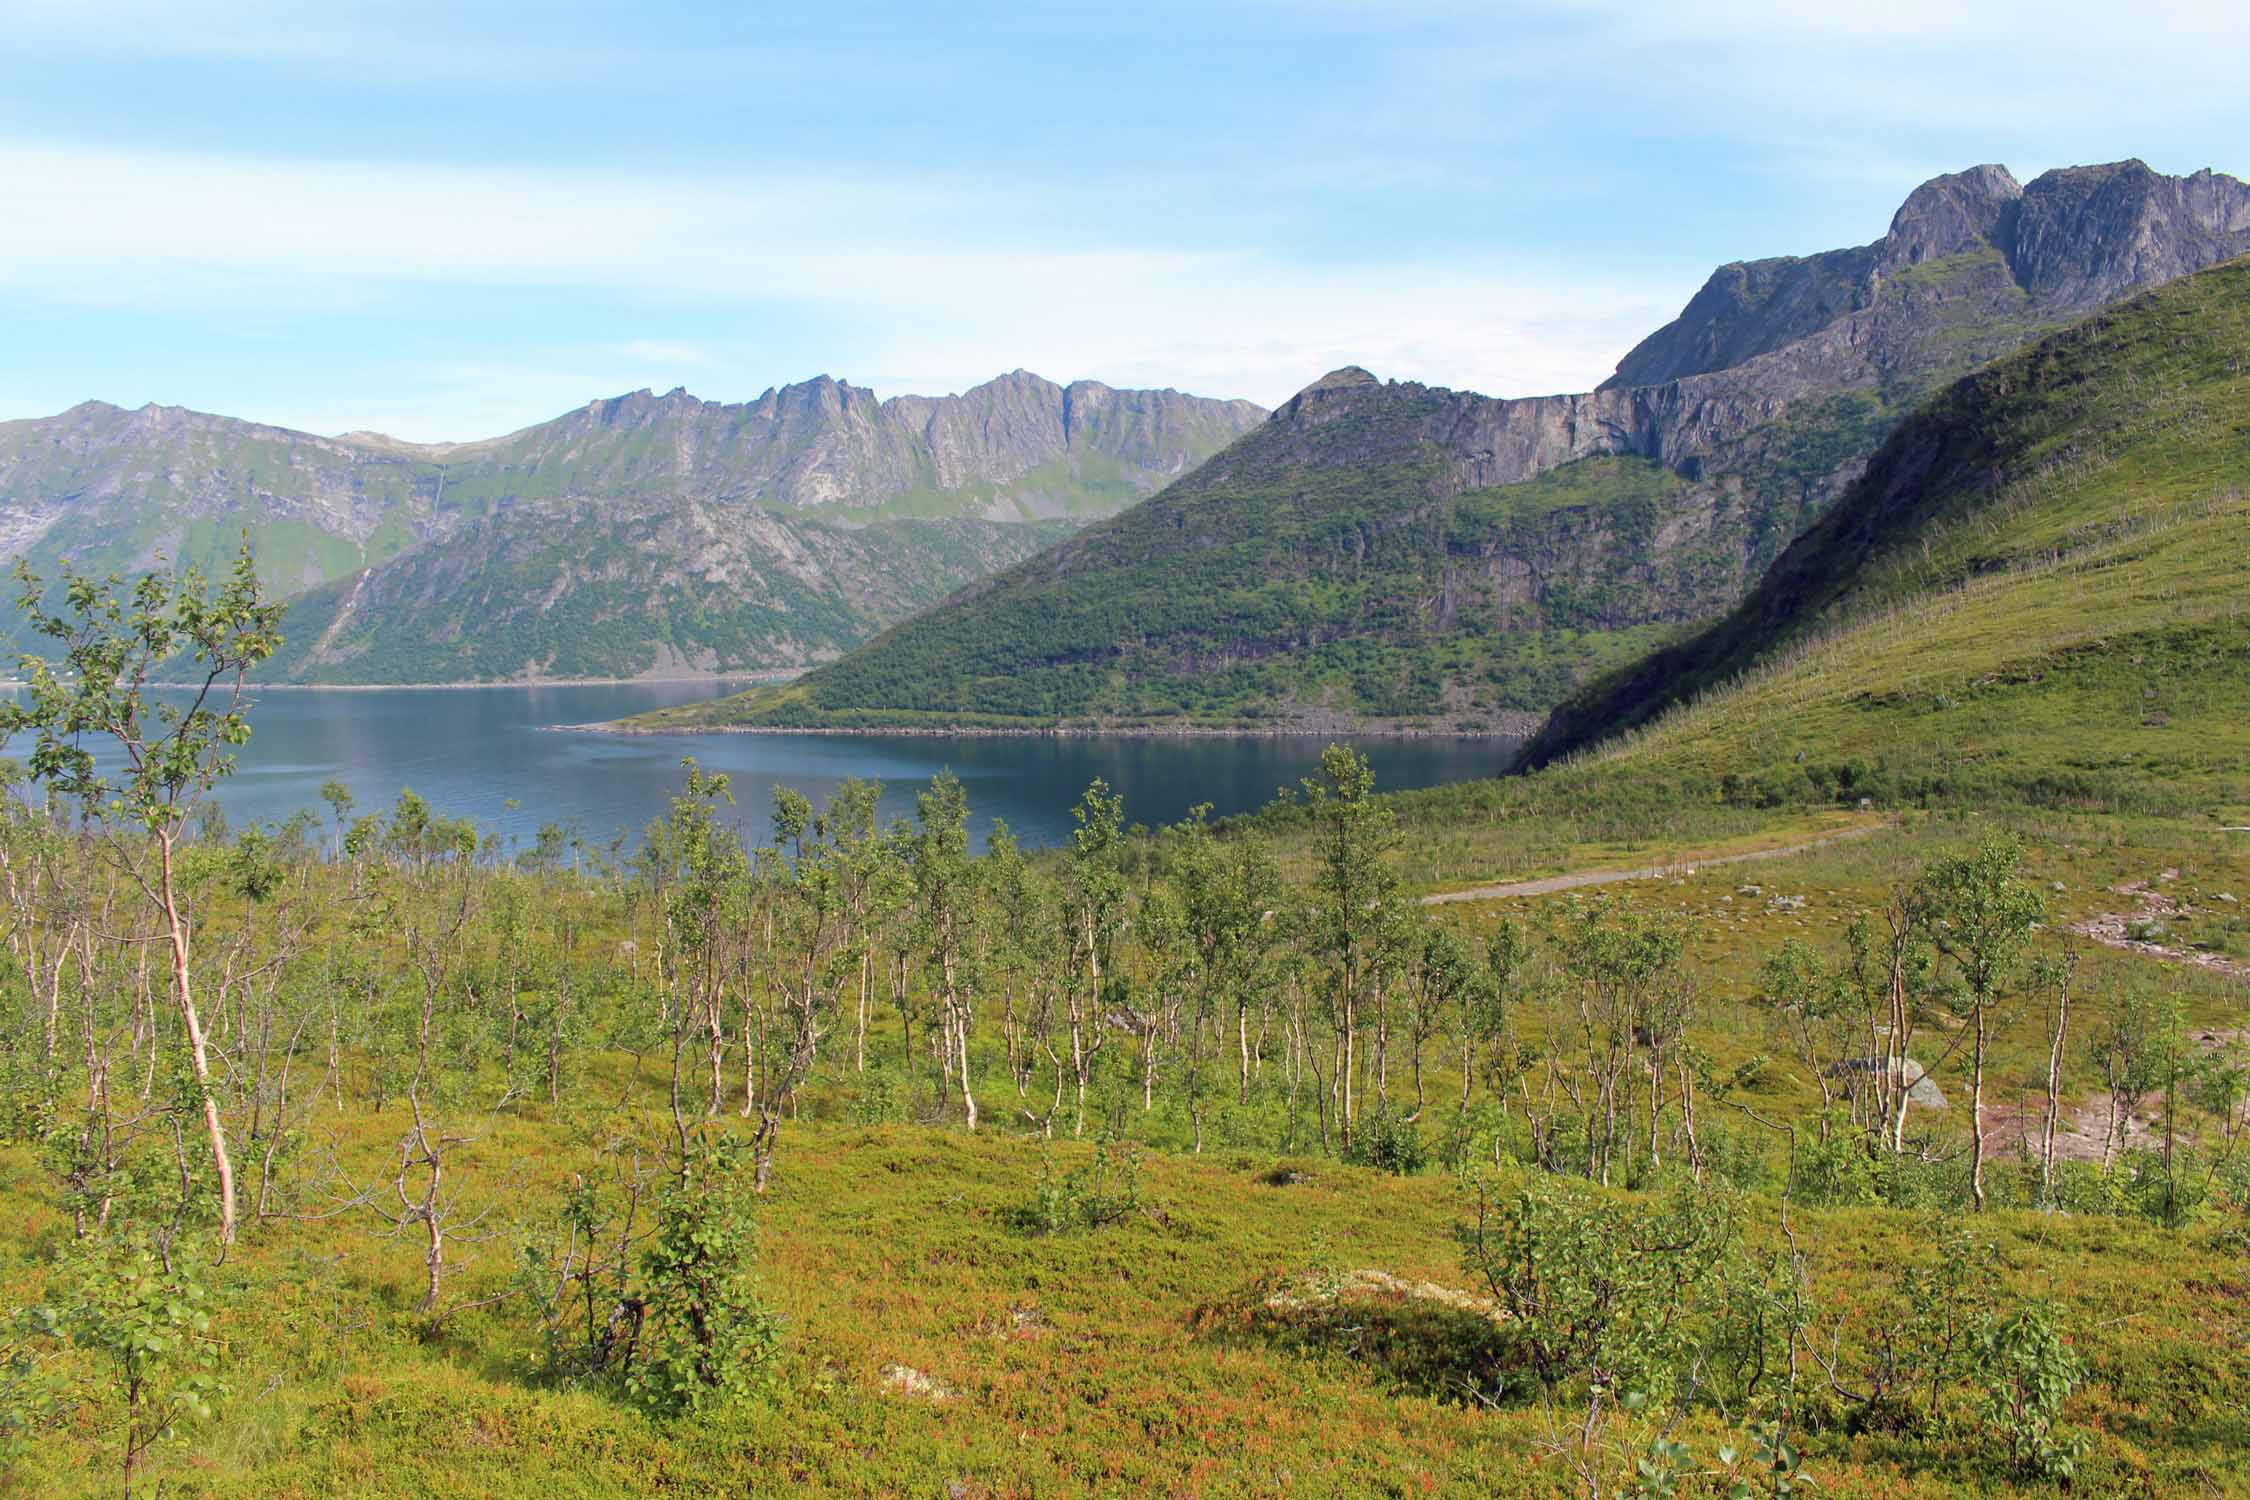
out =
column 1412, row 557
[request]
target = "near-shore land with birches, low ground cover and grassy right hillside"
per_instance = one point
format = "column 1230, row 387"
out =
column 807, row 1150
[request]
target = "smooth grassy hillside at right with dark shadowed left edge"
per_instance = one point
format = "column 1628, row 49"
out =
column 2037, row 588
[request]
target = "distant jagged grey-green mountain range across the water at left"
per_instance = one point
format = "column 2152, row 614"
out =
column 984, row 476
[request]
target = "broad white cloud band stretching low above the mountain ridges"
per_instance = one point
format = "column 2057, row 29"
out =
column 939, row 284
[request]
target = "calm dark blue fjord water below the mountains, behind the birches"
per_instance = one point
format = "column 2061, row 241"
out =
column 496, row 757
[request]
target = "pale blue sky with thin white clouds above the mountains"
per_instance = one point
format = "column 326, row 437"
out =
column 449, row 222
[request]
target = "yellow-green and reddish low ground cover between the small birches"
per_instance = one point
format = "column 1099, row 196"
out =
column 1144, row 1359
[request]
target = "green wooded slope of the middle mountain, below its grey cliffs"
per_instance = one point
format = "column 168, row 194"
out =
column 1329, row 570
